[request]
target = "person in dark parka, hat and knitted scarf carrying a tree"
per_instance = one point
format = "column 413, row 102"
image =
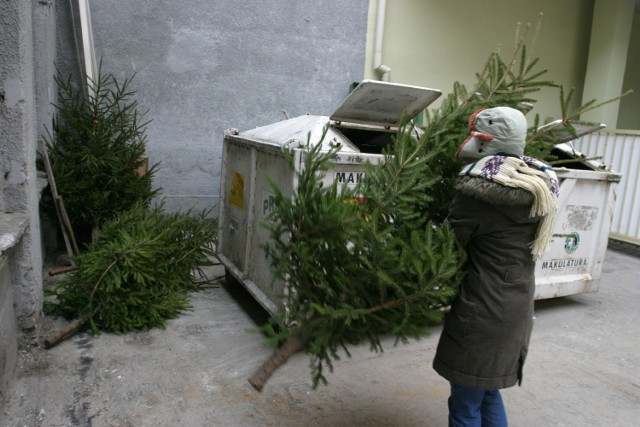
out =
column 502, row 214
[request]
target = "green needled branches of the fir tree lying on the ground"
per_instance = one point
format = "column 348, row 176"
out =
column 139, row 271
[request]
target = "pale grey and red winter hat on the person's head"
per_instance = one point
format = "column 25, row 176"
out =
column 498, row 130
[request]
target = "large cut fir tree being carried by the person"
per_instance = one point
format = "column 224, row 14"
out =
column 380, row 260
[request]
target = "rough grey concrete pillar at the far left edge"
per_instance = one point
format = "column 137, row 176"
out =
column 19, row 131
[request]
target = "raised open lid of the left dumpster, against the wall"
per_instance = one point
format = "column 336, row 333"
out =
column 383, row 103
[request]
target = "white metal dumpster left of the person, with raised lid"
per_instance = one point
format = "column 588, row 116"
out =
column 361, row 127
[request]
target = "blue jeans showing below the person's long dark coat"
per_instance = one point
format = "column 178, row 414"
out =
column 472, row 407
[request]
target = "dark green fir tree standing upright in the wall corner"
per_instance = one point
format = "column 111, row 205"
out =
column 96, row 147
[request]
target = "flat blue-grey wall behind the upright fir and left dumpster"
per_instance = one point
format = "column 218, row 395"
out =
column 203, row 66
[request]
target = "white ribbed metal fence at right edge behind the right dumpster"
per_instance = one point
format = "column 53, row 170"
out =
column 619, row 150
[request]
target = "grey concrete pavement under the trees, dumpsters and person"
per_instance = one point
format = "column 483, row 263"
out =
column 583, row 370
